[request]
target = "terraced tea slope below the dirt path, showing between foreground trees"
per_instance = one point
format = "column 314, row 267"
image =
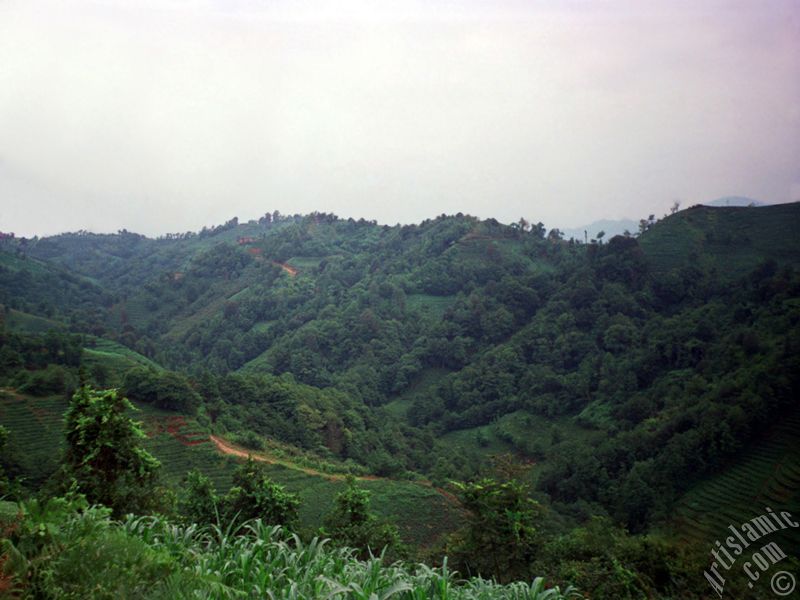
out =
column 36, row 432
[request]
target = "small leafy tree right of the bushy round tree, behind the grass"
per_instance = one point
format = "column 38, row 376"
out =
column 351, row 524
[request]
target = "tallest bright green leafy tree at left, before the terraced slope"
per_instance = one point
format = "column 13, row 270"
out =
column 104, row 456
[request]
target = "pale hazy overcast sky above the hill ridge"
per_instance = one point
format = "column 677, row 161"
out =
column 167, row 115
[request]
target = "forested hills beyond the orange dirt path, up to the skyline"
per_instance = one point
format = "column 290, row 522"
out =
column 617, row 375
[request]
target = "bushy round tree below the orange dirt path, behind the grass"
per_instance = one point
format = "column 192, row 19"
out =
column 255, row 496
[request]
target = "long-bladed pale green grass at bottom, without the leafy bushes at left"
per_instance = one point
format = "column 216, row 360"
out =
column 261, row 561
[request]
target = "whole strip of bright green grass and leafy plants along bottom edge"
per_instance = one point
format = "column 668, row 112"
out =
column 85, row 554
